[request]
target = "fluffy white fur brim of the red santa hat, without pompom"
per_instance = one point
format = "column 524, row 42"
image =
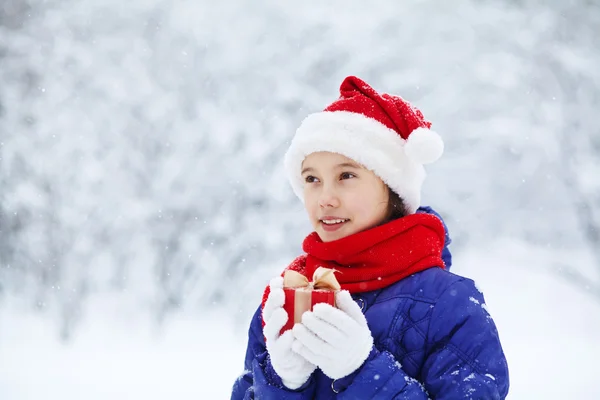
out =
column 364, row 140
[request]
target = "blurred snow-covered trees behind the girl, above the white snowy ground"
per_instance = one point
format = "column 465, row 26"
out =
column 141, row 141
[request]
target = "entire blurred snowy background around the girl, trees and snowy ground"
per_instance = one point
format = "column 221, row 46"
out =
column 143, row 206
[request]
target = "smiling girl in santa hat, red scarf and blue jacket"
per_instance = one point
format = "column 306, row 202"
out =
column 404, row 327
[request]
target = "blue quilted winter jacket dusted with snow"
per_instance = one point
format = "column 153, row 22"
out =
column 433, row 339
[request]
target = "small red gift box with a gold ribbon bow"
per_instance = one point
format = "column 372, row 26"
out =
column 301, row 294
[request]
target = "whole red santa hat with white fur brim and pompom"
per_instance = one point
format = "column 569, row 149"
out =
column 383, row 132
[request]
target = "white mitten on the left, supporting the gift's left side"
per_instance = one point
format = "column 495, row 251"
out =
column 293, row 369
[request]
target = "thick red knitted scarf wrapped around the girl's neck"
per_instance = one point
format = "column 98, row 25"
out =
column 376, row 258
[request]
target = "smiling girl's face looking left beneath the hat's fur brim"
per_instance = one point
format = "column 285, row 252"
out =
column 341, row 196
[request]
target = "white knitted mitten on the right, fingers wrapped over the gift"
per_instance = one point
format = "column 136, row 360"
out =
column 337, row 340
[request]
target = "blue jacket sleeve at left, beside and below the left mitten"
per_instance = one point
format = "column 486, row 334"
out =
column 259, row 380
